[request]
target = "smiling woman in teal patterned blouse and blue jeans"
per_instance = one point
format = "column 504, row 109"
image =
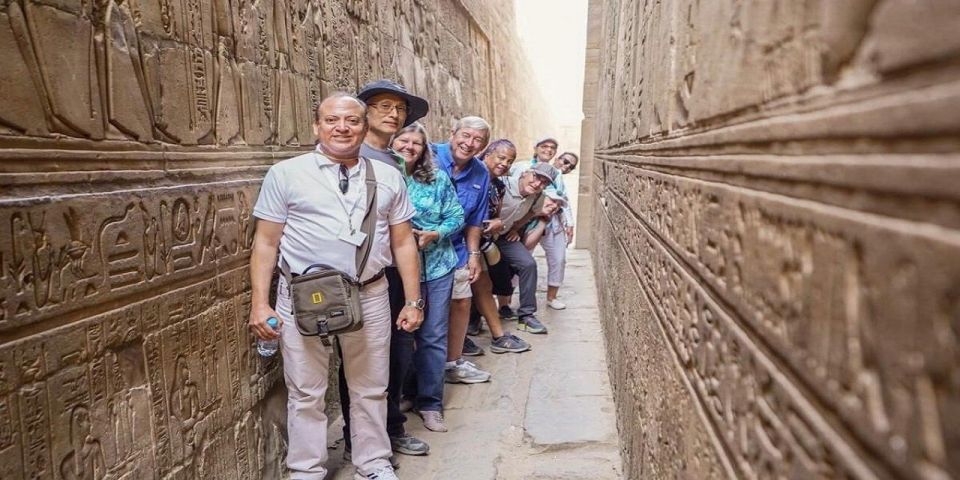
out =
column 439, row 215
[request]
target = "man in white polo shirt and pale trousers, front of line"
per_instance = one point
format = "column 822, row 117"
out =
column 310, row 208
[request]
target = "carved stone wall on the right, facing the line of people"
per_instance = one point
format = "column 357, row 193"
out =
column 774, row 192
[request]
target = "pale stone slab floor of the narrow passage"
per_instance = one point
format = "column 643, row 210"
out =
column 546, row 414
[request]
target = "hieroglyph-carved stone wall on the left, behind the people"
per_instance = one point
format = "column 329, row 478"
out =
column 133, row 137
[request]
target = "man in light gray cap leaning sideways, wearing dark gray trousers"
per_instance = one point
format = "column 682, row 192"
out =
column 521, row 201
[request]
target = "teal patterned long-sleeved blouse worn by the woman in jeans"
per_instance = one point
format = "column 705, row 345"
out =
column 439, row 210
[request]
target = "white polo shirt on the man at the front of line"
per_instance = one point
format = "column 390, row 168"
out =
column 303, row 194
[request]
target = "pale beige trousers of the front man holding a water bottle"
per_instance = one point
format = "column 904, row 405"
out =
column 366, row 360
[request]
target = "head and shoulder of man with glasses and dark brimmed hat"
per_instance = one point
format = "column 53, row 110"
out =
column 389, row 108
